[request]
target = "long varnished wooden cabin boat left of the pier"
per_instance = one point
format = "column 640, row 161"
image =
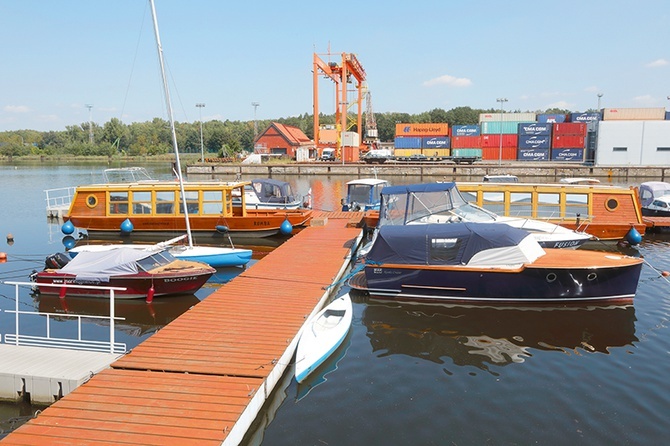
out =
column 154, row 207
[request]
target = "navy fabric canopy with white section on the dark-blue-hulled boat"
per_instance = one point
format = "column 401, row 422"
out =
column 471, row 244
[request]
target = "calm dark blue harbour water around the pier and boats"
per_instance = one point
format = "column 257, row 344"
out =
column 416, row 374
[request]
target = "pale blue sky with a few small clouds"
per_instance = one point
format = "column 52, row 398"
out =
column 70, row 61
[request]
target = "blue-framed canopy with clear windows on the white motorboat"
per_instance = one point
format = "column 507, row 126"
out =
column 401, row 205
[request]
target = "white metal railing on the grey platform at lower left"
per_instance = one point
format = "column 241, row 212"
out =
column 48, row 340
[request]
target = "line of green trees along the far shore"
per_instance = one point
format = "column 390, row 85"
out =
column 219, row 138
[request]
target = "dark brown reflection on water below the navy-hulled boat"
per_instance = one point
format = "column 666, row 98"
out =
column 476, row 336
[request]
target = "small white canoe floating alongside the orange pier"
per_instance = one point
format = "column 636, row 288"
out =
column 322, row 335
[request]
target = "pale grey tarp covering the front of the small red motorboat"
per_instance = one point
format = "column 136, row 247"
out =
column 101, row 265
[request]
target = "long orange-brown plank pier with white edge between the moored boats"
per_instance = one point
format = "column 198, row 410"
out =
column 203, row 378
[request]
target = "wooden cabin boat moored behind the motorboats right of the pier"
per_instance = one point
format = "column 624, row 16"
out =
column 606, row 212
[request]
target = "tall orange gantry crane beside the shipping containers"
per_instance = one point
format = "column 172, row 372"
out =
column 342, row 75
